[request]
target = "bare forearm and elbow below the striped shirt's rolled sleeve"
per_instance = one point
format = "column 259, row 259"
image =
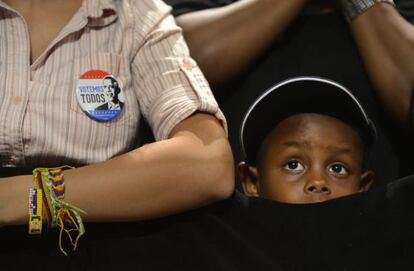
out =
column 192, row 168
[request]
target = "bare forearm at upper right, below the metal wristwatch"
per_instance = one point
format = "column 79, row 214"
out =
column 386, row 43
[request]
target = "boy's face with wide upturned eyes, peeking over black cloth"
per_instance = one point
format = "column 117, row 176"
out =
column 307, row 158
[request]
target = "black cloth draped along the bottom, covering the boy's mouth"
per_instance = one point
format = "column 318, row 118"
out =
column 367, row 231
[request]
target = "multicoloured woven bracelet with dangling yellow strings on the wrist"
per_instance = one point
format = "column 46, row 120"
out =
column 58, row 213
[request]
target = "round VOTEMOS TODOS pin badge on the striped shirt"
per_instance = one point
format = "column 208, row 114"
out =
column 99, row 95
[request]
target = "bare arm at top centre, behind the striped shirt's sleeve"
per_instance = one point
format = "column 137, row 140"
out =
column 225, row 40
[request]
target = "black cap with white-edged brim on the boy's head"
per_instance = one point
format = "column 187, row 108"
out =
column 302, row 95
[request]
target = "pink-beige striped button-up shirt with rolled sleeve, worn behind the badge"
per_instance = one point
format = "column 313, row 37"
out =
column 41, row 123
